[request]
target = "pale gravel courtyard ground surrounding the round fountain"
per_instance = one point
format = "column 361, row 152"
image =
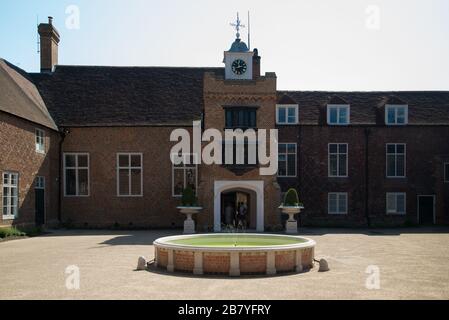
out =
column 413, row 264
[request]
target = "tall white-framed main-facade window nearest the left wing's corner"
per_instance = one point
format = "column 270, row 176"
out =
column 76, row 174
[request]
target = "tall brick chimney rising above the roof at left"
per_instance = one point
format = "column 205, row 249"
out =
column 49, row 39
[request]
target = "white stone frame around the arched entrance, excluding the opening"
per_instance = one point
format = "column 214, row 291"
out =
column 255, row 185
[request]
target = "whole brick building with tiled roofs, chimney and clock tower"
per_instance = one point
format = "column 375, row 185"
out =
column 357, row 158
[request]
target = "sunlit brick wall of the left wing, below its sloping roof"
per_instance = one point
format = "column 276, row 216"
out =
column 18, row 155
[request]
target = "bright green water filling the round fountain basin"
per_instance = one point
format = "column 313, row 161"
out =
column 236, row 241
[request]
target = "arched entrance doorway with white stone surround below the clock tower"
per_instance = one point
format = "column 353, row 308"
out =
column 235, row 192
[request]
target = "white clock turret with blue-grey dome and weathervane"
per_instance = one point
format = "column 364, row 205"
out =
column 239, row 59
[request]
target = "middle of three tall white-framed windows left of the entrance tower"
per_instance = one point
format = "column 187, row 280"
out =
column 129, row 174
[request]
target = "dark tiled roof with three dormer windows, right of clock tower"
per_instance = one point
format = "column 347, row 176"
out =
column 425, row 107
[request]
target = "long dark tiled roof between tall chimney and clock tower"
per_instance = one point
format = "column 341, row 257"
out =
column 121, row 96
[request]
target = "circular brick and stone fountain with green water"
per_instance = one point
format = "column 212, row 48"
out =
column 234, row 254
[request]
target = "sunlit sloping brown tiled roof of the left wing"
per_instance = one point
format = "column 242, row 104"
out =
column 19, row 96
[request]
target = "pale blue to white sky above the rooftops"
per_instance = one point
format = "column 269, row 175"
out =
column 311, row 45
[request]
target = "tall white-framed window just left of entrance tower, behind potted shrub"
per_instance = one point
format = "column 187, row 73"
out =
column 184, row 174
